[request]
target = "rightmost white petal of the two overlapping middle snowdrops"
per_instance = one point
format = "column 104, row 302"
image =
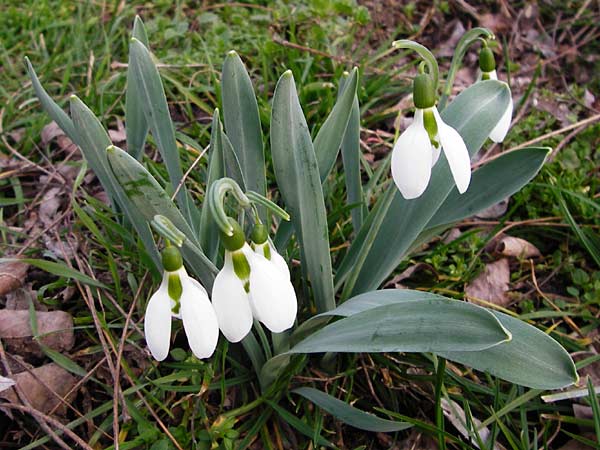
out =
column 272, row 295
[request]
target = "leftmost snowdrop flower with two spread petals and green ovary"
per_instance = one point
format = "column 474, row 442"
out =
column 182, row 297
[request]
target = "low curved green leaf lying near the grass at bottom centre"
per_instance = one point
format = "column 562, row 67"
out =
column 349, row 414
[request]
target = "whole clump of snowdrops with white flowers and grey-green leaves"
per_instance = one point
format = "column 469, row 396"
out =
column 223, row 238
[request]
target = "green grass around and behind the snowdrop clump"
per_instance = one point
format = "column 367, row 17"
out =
column 215, row 404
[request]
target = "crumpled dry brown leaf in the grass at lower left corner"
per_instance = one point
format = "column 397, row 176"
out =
column 40, row 386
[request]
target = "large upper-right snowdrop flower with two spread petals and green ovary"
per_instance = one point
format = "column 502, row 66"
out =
column 418, row 147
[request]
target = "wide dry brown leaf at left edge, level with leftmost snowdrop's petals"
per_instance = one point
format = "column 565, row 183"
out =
column 17, row 335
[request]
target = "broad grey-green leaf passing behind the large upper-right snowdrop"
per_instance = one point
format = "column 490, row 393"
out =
column 474, row 113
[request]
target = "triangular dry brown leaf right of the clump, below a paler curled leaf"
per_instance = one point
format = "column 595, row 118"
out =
column 492, row 284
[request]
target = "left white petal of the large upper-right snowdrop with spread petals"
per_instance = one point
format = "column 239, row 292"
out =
column 412, row 158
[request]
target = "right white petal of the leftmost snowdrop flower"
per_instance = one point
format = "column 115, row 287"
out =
column 199, row 319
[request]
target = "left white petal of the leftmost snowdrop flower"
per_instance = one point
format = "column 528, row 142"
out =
column 157, row 323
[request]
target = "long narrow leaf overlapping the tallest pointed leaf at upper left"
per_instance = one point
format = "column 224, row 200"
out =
column 156, row 110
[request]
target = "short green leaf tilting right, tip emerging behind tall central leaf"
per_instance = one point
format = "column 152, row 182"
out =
column 329, row 138
